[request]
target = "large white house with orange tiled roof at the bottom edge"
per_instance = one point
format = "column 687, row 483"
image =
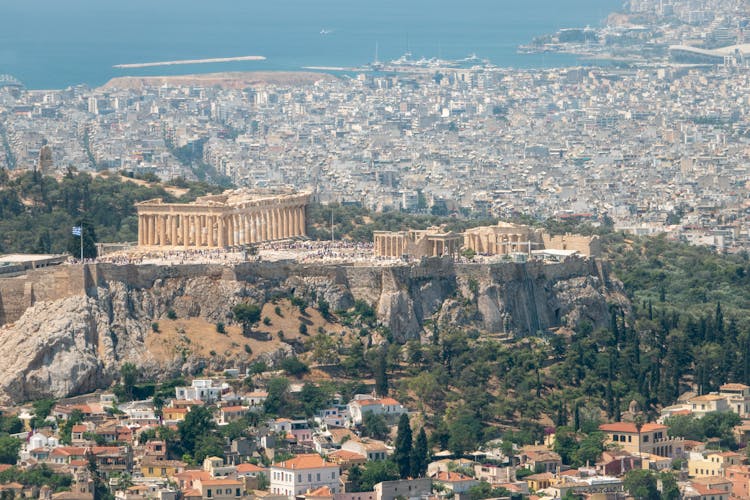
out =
column 302, row 473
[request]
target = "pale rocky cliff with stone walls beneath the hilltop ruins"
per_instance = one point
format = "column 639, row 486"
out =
column 72, row 331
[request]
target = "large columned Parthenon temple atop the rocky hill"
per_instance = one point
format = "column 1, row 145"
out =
column 233, row 218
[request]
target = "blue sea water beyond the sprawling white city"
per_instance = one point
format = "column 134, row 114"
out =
column 57, row 43
